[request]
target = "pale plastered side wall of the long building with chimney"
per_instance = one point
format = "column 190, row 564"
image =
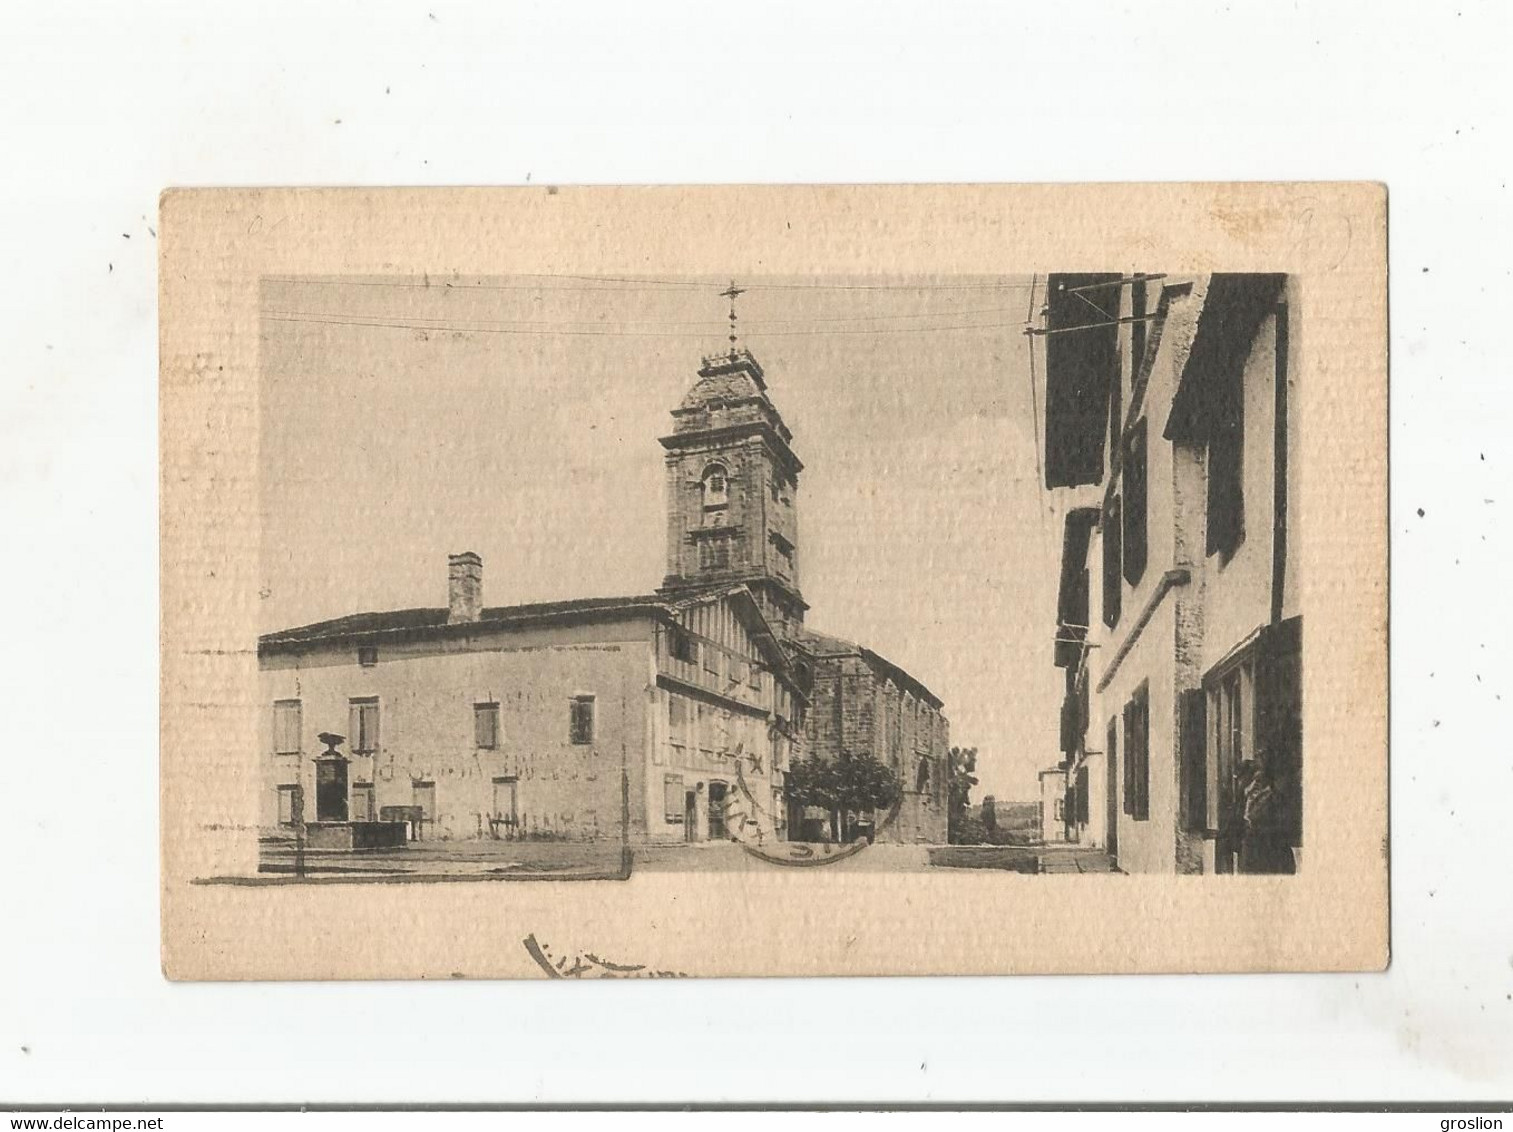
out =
column 427, row 726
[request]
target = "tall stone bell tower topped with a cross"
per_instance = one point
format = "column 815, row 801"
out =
column 733, row 490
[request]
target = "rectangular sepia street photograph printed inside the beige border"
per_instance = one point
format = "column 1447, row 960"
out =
column 809, row 494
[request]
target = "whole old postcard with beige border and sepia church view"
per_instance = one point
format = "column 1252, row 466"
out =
column 742, row 582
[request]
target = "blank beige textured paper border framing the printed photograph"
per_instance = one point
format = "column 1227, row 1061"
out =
column 219, row 243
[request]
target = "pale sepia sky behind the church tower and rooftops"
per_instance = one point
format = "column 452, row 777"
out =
column 405, row 420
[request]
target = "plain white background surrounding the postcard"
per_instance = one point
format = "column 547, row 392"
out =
column 104, row 107
